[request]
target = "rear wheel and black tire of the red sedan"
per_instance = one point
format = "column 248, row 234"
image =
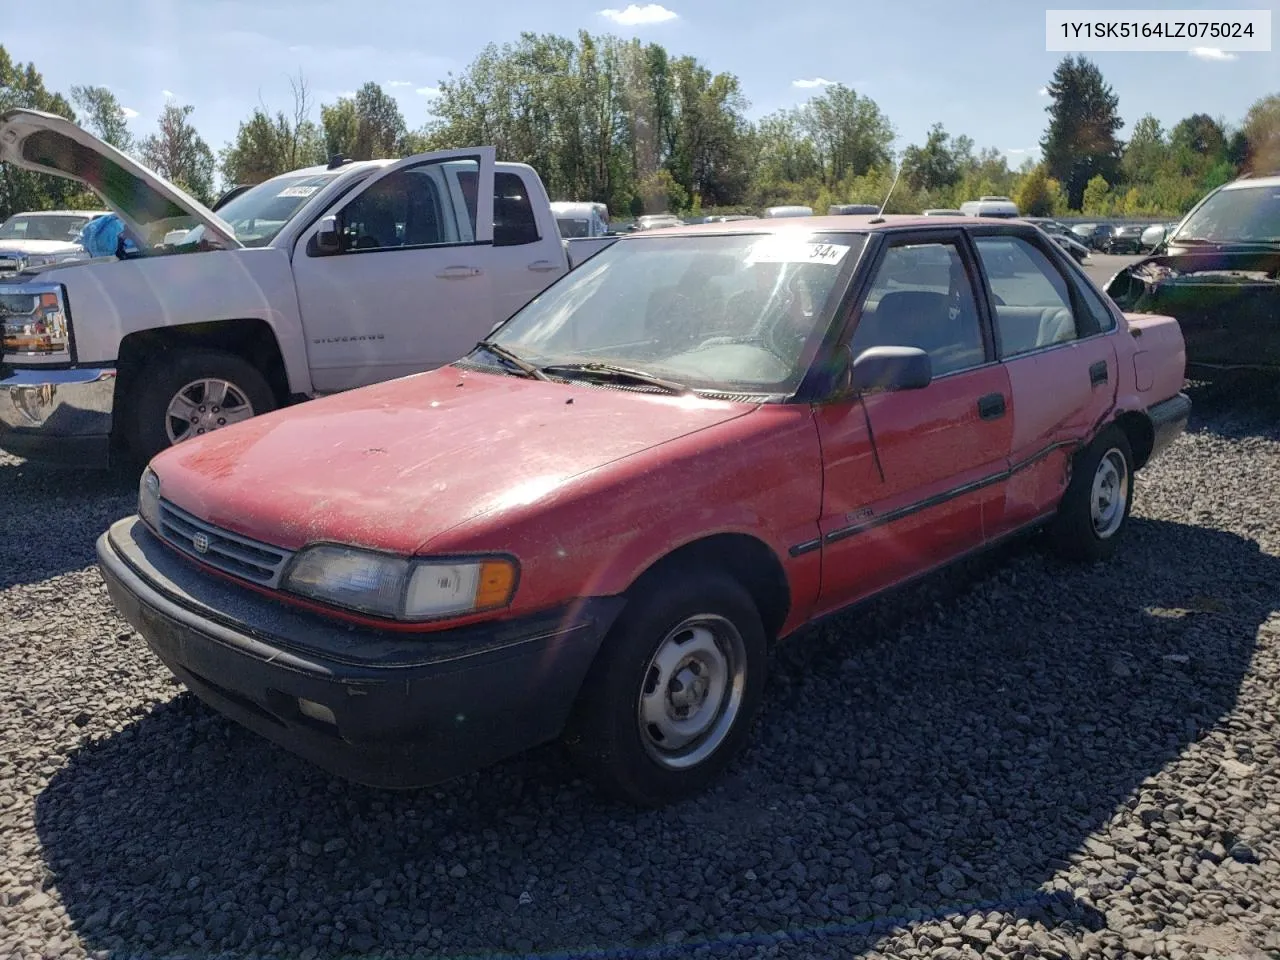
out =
column 1076, row 532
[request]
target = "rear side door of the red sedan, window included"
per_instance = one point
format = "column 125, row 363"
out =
column 1054, row 339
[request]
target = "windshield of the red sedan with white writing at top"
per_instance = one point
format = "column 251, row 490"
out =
column 733, row 314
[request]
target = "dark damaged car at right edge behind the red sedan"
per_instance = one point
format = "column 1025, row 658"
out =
column 1219, row 275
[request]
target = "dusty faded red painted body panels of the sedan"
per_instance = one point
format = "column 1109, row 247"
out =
column 589, row 487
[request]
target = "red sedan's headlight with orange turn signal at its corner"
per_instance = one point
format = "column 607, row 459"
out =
column 401, row 588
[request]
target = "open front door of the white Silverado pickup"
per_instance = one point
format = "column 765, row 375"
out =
column 409, row 289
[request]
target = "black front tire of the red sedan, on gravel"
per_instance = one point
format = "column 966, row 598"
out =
column 607, row 734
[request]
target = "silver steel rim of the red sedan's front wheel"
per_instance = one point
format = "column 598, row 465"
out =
column 692, row 692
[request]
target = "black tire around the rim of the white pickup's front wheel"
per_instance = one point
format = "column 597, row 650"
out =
column 161, row 381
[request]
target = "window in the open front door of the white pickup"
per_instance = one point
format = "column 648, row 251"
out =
column 417, row 207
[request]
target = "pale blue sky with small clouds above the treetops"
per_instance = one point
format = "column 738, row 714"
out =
column 976, row 66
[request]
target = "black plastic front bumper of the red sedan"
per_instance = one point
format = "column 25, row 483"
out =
column 408, row 711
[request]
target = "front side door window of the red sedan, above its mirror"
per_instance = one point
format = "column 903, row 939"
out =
column 922, row 298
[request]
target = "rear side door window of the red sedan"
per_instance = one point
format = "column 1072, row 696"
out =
column 1032, row 301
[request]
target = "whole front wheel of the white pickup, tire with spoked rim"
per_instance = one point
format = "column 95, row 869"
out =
column 193, row 394
